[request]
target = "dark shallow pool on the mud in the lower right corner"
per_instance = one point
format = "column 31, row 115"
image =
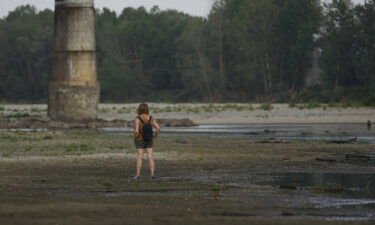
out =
column 326, row 196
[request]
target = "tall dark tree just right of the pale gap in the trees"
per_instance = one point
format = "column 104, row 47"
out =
column 338, row 44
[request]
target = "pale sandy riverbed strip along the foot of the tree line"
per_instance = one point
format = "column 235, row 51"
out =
column 225, row 113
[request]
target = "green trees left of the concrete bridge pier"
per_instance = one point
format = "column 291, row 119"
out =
column 26, row 53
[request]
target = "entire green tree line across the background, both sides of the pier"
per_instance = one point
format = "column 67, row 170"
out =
column 245, row 50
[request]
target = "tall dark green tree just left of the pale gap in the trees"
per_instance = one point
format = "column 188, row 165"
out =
column 298, row 23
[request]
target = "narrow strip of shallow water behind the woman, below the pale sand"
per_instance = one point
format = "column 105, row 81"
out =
column 358, row 133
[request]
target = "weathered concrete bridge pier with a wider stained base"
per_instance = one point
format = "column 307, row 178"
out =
column 74, row 90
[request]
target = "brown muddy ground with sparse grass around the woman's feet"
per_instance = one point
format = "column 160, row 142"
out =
column 84, row 177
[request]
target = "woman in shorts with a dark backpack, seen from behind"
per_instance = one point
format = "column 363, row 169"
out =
column 140, row 138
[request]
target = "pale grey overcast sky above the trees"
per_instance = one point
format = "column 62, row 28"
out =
column 193, row 7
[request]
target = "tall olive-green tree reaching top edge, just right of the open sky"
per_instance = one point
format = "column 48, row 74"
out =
column 254, row 29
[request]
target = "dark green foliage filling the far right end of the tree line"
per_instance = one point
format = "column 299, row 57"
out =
column 348, row 51
